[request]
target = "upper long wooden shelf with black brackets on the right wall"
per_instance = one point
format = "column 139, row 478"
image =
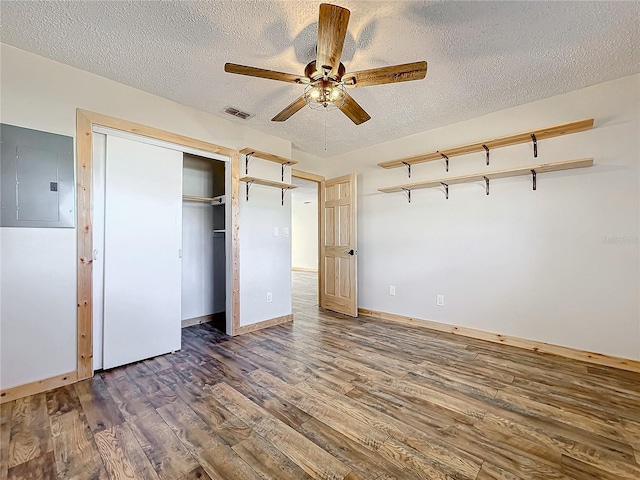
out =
column 486, row 146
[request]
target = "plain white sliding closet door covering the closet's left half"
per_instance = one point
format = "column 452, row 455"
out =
column 142, row 266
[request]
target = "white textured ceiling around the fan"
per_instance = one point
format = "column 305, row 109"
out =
column 482, row 56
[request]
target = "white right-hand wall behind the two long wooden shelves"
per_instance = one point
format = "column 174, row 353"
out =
column 559, row 265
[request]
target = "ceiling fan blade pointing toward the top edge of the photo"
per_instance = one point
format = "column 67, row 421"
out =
column 332, row 28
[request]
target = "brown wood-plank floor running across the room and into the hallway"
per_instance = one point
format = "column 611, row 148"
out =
column 333, row 398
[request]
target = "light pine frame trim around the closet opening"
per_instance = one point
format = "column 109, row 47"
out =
column 85, row 120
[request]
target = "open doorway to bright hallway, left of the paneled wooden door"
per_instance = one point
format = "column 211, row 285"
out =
column 305, row 239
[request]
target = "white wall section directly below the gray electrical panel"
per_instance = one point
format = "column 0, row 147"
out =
column 38, row 316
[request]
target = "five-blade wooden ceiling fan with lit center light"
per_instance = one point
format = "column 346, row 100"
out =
column 325, row 77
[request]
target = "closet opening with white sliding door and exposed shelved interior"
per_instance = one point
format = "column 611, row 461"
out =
column 159, row 258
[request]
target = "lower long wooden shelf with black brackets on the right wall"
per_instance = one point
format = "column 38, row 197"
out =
column 479, row 177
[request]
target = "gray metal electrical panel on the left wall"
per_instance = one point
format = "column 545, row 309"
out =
column 36, row 174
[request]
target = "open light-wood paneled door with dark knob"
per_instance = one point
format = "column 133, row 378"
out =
column 339, row 246
